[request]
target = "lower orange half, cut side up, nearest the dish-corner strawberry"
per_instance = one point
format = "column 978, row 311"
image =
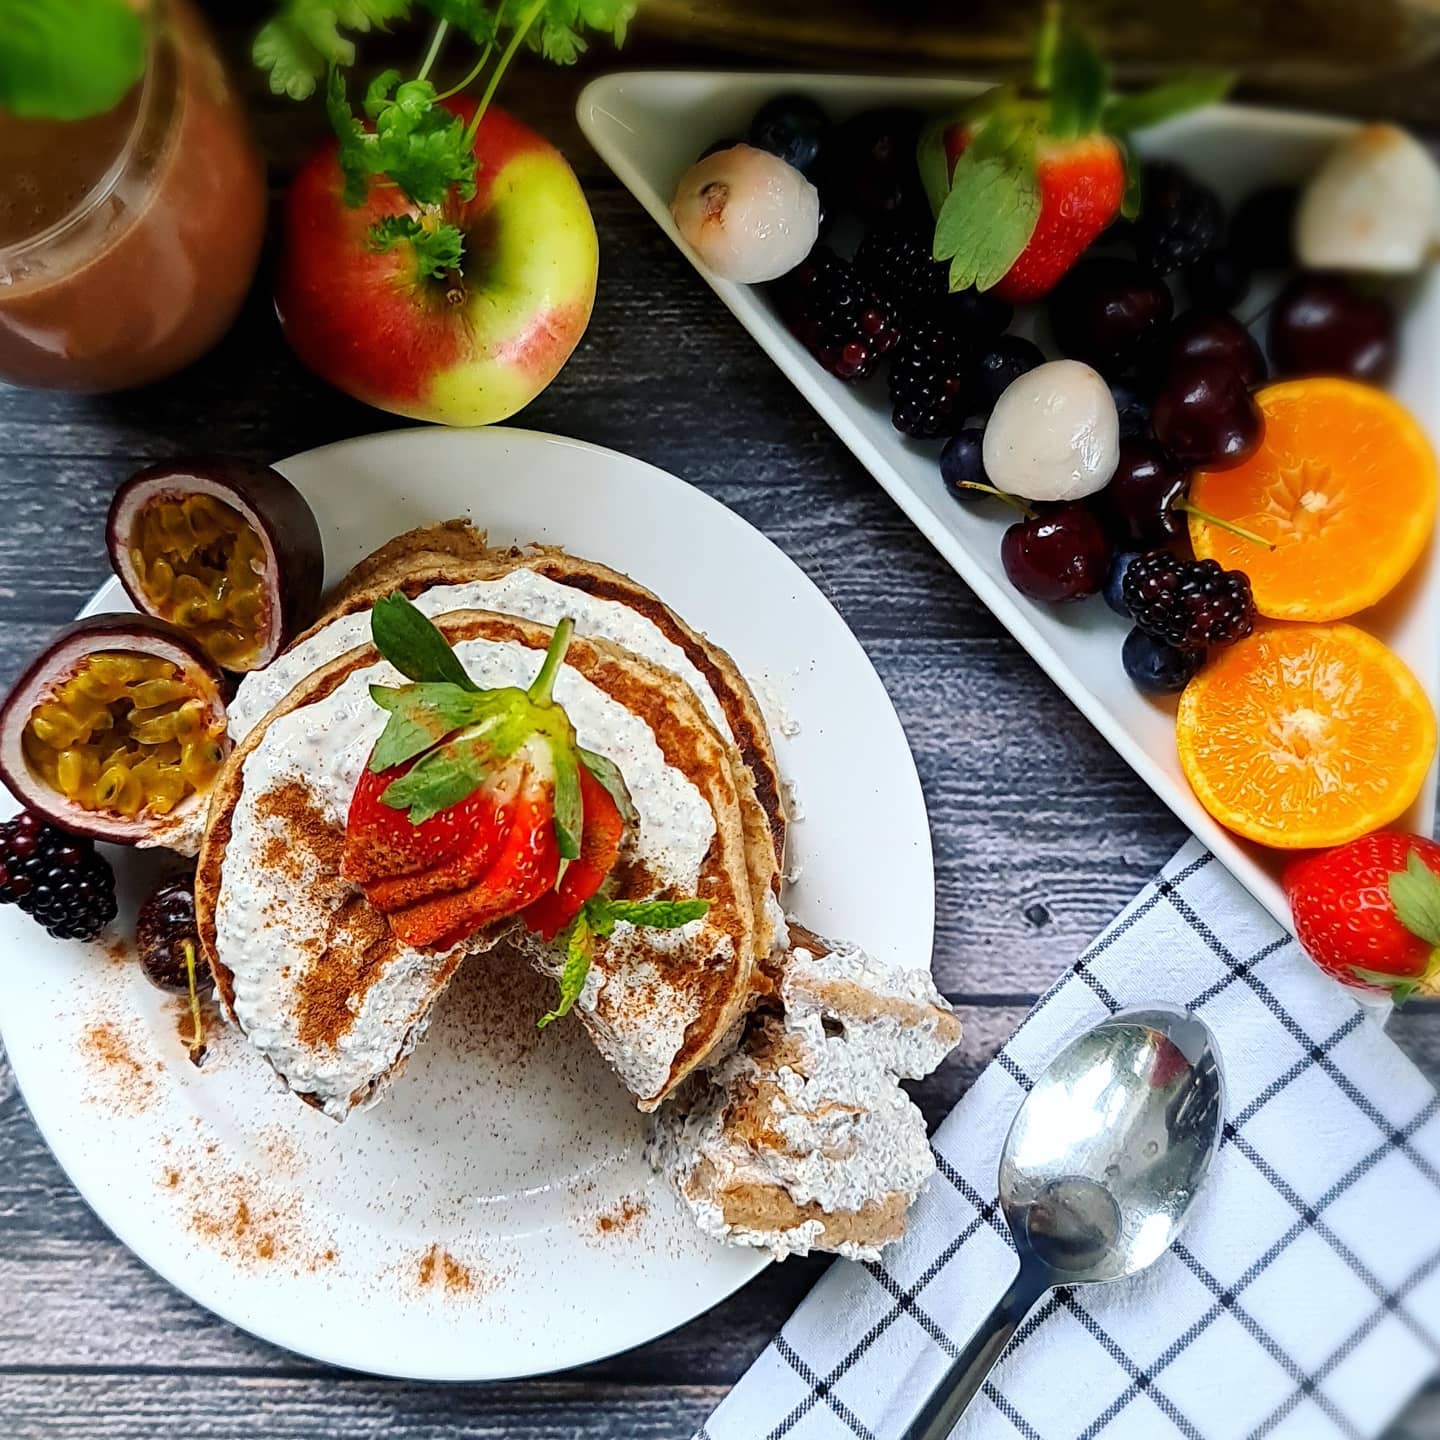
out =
column 1305, row 735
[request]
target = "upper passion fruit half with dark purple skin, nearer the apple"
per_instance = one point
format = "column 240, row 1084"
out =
column 222, row 548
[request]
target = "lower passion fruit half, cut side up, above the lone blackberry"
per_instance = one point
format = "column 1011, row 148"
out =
column 117, row 732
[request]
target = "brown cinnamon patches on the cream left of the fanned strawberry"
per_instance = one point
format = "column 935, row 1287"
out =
column 359, row 942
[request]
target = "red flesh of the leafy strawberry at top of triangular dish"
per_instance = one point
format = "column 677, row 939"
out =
column 1082, row 184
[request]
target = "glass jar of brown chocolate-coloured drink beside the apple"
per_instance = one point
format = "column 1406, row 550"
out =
column 129, row 240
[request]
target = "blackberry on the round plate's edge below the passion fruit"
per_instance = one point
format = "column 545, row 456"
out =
column 57, row 879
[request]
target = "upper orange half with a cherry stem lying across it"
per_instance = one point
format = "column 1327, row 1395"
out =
column 1344, row 486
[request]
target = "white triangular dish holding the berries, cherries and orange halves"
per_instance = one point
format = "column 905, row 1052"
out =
column 650, row 126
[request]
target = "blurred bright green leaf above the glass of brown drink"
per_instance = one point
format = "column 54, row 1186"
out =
column 67, row 60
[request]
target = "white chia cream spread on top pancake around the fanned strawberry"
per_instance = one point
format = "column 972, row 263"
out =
column 274, row 911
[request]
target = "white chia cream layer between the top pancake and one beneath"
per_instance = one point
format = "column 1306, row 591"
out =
column 522, row 593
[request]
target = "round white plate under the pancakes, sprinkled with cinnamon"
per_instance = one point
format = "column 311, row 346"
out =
column 495, row 1216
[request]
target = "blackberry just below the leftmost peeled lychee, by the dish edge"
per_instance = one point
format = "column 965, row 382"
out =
column 845, row 325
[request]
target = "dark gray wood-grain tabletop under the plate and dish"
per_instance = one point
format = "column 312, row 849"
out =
column 1042, row 834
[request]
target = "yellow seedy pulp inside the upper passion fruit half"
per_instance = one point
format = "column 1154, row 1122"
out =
column 202, row 568
